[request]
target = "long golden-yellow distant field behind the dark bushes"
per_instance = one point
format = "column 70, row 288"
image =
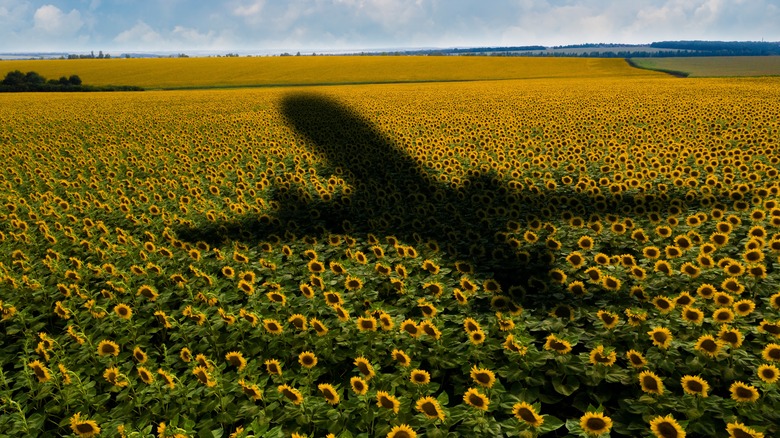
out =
column 237, row 72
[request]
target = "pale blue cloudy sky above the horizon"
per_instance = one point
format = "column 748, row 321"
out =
column 265, row 26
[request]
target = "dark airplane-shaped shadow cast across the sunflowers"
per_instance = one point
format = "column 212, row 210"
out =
column 394, row 195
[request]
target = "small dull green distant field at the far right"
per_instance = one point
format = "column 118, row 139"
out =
column 716, row 66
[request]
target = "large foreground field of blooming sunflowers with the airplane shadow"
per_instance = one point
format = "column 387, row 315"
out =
column 547, row 257
